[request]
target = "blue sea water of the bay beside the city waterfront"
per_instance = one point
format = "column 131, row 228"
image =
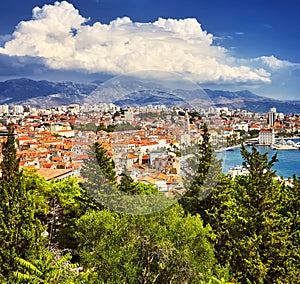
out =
column 288, row 164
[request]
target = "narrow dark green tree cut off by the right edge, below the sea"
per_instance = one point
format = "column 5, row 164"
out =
column 284, row 247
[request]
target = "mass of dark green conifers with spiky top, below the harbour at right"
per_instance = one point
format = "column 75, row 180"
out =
column 255, row 224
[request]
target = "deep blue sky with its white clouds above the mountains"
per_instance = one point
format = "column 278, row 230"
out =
column 228, row 45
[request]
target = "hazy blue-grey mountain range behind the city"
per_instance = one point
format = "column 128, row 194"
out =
column 135, row 93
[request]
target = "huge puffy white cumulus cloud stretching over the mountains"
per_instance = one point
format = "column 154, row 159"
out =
column 60, row 36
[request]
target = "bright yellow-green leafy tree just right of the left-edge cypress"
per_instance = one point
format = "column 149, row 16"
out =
column 58, row 204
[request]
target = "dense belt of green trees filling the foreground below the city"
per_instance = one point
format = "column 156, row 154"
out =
column 242, row 230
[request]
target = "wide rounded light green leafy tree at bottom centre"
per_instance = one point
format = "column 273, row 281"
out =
column 163, row 247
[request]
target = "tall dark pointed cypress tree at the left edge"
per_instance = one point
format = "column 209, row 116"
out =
column 20, row 230
